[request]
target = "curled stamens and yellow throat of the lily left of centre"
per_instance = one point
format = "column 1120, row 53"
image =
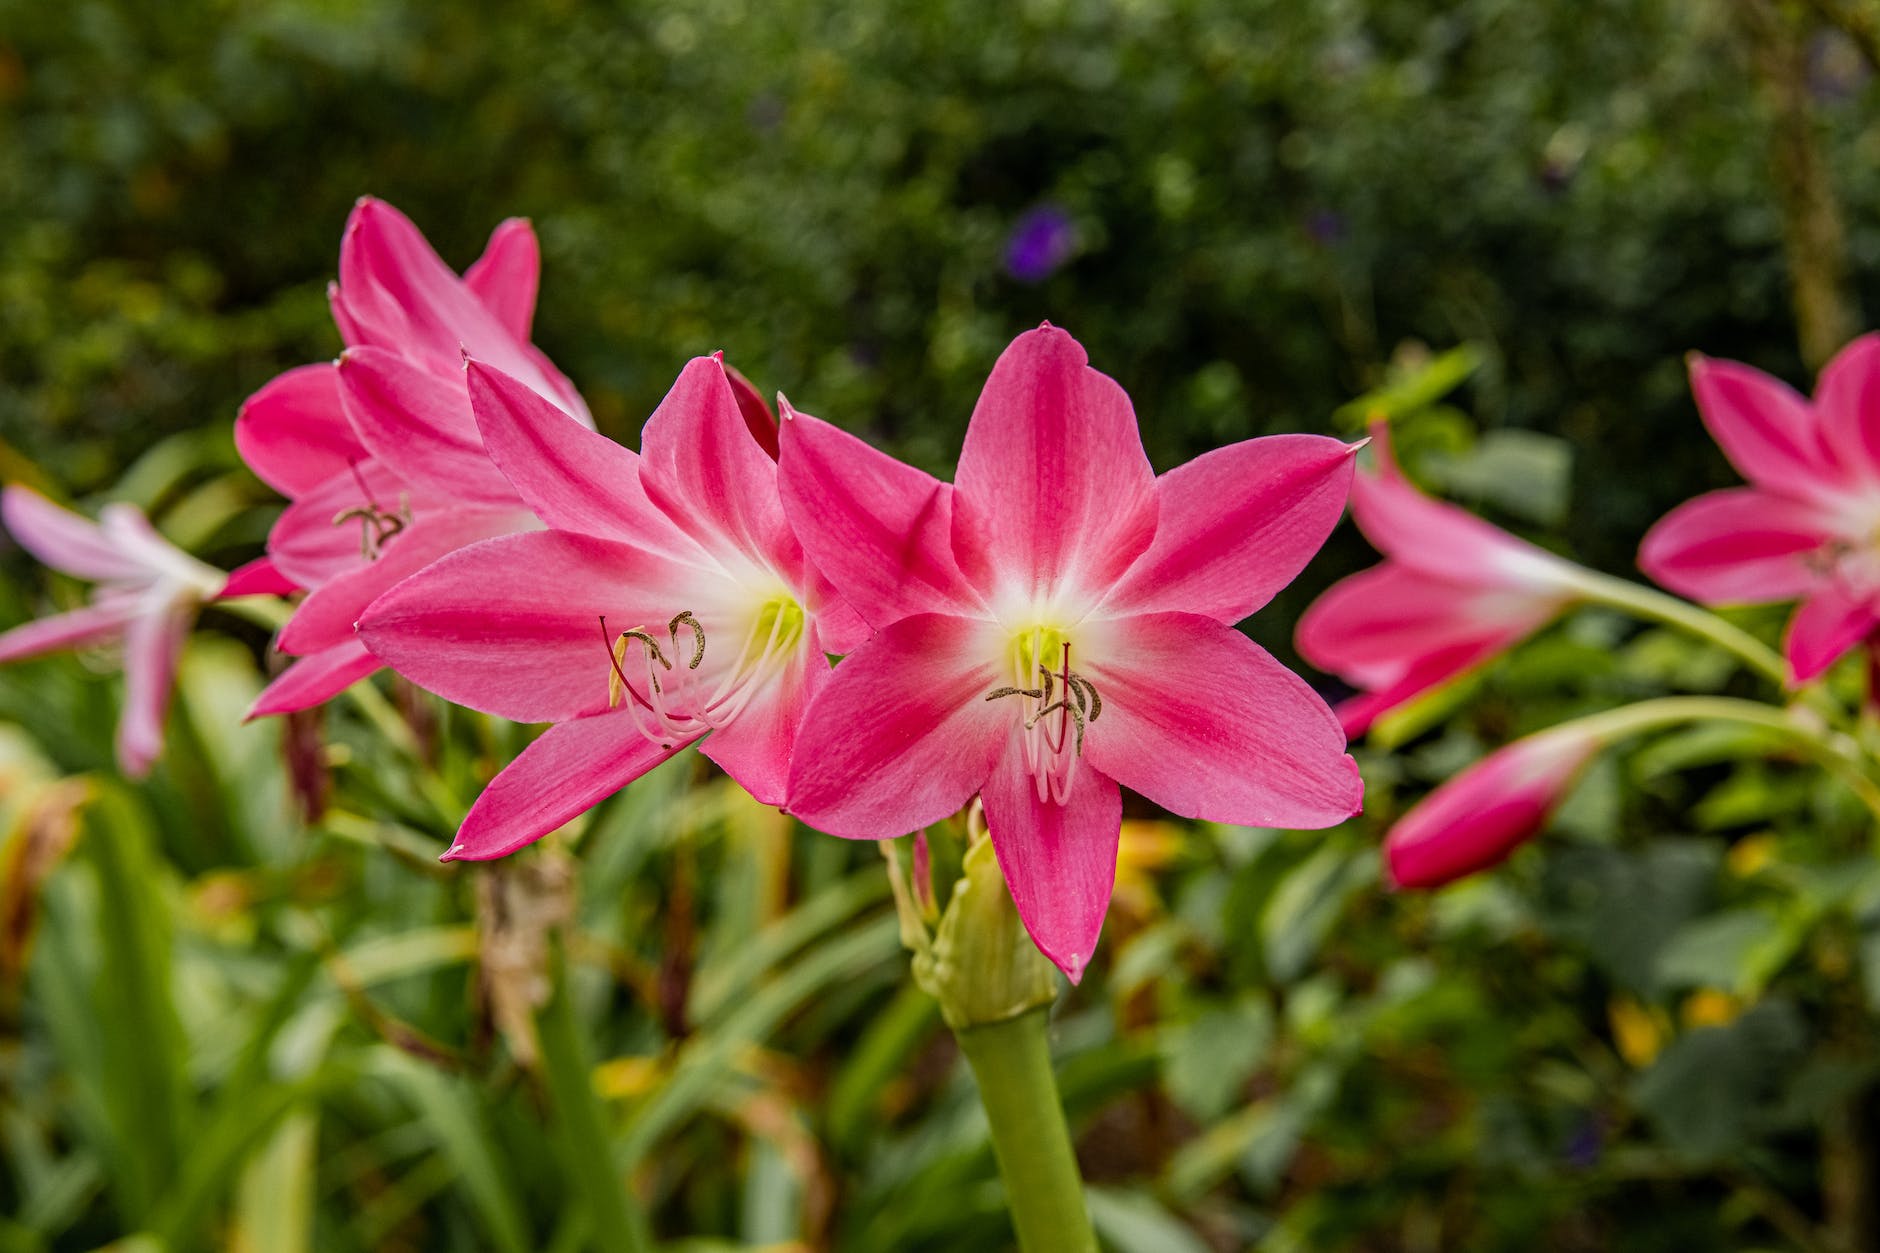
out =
column 665, row 684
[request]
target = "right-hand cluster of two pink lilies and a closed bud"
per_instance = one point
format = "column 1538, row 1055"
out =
column 1456, row 594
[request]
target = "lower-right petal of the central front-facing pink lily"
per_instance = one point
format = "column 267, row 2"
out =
column 1202, row 722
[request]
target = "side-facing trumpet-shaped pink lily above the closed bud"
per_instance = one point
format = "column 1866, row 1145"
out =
column 1454, row 594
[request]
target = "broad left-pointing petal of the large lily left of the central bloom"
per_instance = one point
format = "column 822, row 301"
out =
column 512, row 627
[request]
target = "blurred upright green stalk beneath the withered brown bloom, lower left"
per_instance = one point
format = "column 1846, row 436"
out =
column 618, row 1224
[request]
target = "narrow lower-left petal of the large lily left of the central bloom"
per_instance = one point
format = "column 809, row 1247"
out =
column 567, row 772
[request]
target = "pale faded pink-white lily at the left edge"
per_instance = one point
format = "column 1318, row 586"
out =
column 146, row 599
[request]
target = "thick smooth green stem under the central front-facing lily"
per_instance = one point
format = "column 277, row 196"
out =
column 1031, row 1141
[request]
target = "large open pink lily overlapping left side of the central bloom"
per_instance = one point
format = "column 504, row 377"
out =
column 666, row 605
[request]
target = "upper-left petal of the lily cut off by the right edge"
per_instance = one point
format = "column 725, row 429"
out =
column 1764, row 428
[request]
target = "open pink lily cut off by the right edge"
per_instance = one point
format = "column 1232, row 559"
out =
column 1806, row 526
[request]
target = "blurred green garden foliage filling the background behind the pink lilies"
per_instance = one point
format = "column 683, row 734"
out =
column 227, row 1028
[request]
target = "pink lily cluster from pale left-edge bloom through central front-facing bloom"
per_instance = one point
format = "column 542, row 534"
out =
column 1052, row 627
